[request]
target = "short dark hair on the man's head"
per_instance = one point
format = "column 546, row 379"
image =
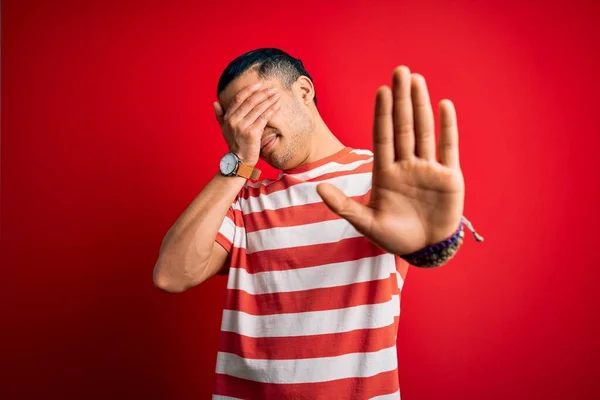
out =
column 268, row 62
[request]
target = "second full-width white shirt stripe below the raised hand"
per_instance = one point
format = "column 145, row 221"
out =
column 370, row 316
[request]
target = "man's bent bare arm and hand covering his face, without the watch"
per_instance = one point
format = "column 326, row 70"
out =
column 189, row 253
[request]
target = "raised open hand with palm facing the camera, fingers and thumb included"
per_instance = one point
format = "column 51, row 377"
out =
column 416, row 199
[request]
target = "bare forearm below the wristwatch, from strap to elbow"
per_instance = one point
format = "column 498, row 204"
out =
column 186, row 249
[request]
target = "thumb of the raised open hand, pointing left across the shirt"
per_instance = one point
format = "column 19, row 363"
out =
column 360, row 216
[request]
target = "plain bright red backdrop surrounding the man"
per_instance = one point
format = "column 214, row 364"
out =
column 108, row 134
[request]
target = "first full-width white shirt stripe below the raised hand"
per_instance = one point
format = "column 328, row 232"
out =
column 323, row 276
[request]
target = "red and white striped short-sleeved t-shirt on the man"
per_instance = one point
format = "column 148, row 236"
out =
column 312, row 306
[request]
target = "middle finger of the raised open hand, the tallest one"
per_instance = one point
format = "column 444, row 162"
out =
column 404, row 138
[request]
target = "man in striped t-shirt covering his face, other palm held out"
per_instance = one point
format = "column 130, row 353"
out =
column 316, row 258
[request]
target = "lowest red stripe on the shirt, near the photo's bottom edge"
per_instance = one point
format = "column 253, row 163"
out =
column 350, row 388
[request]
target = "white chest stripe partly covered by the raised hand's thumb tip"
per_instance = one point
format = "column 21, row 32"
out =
column 304, row 193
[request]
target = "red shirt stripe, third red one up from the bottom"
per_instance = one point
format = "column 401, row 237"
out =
column 331, row 298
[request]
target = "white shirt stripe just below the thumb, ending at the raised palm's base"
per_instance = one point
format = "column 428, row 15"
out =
column 301, row 235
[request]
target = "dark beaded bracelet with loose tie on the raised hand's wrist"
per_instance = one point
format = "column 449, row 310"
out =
column 440, row 253
